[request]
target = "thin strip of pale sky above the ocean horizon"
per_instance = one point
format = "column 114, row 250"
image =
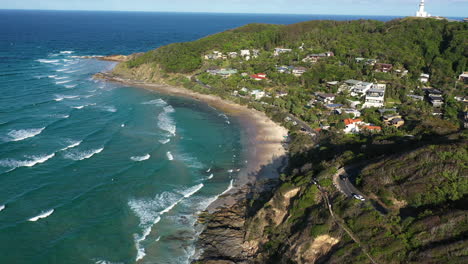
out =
column 451, row 8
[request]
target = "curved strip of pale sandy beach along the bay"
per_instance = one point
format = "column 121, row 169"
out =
column 263, row 138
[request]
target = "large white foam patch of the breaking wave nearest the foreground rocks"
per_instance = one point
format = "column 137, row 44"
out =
column 149, row 212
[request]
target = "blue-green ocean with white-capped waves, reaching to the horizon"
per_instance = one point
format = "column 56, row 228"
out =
column 93, row 172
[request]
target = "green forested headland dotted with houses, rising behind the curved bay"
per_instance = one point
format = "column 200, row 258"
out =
column 398, row 196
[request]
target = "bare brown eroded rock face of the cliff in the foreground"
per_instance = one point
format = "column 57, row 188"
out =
column 233, row 237
